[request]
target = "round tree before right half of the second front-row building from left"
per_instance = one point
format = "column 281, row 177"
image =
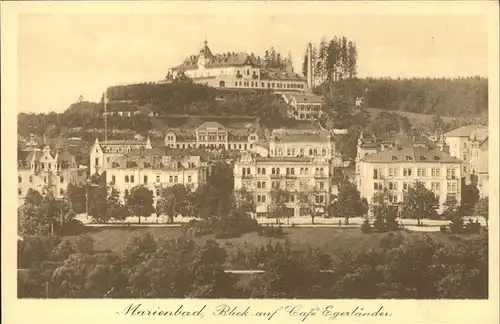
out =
column 173, row 201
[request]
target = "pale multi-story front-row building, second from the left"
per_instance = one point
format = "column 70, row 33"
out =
column 155, row 169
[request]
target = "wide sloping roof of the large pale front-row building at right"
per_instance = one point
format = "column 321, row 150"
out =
column 411, row 155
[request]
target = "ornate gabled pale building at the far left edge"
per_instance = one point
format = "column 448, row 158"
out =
column 48, row 170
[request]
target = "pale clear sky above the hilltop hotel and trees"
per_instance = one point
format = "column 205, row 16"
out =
column 61, row 57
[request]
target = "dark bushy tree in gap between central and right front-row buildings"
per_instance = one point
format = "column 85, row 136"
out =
column 349, row 202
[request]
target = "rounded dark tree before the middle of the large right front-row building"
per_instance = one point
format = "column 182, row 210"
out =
column 419, row 202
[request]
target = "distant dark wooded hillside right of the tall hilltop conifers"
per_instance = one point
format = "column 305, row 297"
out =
column 461, row 97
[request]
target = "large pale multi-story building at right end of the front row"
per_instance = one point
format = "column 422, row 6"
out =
column 397, row 167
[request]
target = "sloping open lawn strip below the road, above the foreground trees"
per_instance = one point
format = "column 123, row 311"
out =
column 328, row 239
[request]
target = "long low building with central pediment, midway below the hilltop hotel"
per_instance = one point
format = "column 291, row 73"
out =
column 213, row 136
